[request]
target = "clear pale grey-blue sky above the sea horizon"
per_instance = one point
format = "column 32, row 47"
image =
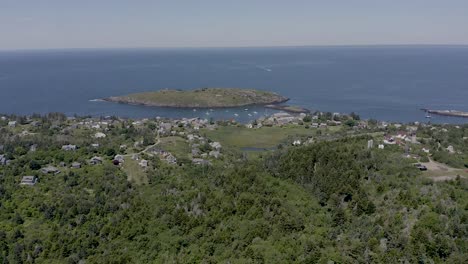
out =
column 39, row 24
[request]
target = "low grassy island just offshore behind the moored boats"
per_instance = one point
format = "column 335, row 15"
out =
column 201, row 98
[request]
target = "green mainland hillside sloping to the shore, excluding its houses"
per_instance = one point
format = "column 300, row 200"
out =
column 332, row 200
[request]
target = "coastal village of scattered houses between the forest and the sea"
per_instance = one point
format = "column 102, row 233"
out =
column 178, row 142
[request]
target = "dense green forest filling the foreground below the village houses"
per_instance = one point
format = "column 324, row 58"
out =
column 331, row 201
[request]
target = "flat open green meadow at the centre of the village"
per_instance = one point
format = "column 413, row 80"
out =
column 265, row 137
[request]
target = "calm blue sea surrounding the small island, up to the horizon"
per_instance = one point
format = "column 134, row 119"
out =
column 384, row 82
